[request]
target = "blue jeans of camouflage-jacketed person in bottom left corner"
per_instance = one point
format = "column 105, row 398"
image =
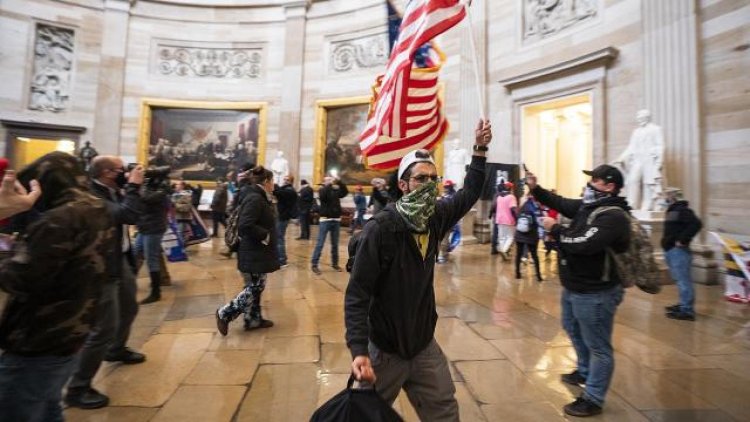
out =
column 31, row 387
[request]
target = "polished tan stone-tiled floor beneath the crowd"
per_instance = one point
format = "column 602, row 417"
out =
column 502, row 337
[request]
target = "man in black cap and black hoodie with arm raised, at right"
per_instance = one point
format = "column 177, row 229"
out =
column 592, row 289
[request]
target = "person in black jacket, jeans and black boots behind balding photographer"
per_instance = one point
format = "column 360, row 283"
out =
column 151, row 226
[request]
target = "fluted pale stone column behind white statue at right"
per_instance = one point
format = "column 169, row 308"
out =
column 670, row 69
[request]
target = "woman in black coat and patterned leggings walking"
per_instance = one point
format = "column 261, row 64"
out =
column 257, row 254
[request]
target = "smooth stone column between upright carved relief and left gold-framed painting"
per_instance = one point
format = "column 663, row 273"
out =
column 110, row 87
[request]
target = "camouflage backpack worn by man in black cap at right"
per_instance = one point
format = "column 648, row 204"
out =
column 635, row 266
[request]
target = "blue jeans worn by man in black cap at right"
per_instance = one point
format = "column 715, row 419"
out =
column 588, row 318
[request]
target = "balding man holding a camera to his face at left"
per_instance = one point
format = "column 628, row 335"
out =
column 117, row 306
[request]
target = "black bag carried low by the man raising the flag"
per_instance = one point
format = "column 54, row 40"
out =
column 356, row 404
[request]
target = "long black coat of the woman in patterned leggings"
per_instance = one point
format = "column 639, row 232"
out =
column 257, row 229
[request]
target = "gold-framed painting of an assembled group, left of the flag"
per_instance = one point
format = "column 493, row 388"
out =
column 201, row 141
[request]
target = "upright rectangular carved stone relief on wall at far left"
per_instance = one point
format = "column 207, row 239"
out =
column 53, row 65
